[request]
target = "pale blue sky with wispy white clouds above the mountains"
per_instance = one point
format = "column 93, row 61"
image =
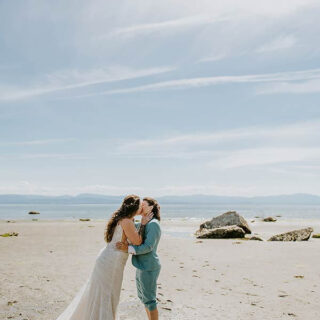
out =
column 160, row 97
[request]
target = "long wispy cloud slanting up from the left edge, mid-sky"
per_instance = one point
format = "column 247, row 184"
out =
column 72, row 79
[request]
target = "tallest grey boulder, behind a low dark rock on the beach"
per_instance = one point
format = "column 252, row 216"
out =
column 230, row 218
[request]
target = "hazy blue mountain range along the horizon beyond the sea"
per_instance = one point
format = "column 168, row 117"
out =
column 85, row 198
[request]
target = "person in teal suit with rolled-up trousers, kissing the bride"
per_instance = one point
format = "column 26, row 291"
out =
column 145, row 258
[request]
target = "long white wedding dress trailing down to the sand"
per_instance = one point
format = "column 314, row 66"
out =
column 99, row 297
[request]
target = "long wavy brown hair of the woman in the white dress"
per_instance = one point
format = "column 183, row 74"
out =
column 128, row 209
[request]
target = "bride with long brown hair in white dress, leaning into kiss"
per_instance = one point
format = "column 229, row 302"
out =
column 99, row 297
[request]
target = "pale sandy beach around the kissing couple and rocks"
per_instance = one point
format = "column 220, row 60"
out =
column 47, row 263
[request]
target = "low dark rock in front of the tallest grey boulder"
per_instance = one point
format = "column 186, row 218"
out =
column 221, row 233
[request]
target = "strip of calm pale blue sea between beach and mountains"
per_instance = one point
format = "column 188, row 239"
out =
column 103, row 211
